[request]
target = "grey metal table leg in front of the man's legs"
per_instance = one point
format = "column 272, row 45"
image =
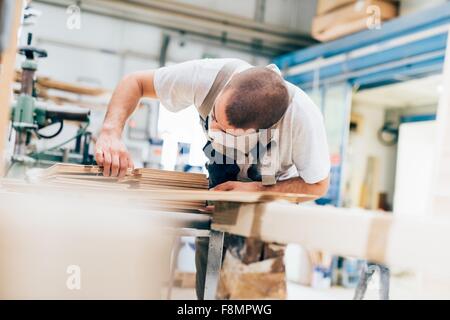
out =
column 214, row 264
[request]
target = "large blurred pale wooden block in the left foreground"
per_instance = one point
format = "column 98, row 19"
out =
column 122, row 250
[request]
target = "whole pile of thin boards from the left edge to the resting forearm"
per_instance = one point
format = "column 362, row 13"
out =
column 143, row 188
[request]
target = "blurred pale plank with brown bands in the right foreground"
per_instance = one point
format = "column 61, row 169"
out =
column 402, row 242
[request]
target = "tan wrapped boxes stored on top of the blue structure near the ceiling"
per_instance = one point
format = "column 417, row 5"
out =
column 338, row 18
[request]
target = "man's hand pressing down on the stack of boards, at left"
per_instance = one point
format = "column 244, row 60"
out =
column 112, row 154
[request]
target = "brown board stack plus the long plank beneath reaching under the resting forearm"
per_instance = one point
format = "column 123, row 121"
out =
column 156, row 185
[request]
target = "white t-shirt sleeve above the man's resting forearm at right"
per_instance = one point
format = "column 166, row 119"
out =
column 310, row 151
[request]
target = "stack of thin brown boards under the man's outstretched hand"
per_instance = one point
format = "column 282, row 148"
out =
column 132, row 185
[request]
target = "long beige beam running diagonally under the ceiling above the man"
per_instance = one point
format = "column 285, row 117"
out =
column 201, row 23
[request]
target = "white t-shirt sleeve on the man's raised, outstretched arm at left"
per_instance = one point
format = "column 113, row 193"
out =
column 175, row 85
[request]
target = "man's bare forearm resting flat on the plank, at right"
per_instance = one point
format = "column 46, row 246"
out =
column 298, row 185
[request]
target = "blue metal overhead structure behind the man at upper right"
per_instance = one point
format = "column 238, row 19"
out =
column 408, row 47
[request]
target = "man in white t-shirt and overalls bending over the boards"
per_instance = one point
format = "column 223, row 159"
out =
column 264, row 134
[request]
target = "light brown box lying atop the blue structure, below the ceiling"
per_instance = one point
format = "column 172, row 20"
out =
column 351, row 18
